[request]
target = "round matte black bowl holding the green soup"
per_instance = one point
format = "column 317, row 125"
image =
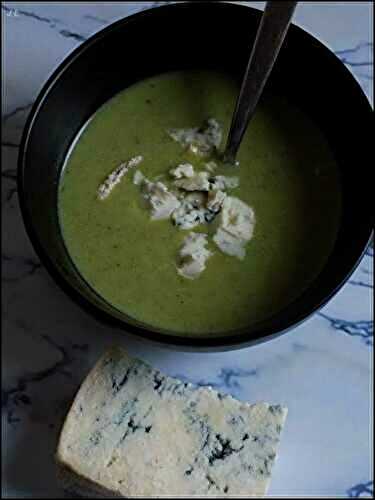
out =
column 181, row 36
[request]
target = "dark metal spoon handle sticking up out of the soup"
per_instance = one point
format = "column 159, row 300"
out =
column 269, row 39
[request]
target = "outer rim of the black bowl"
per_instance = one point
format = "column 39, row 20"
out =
column 193, row 343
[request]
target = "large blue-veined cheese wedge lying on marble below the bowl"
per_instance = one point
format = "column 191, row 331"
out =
column 134, row 432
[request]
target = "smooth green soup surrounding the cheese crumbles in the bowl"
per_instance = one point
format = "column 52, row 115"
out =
column 287, row 175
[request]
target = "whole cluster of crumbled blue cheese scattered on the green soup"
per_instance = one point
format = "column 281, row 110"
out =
column 198, row 198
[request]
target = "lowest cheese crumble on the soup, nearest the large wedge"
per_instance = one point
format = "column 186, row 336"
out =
column 193, row 255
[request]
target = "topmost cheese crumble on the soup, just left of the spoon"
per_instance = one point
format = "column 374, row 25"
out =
column 201, row 141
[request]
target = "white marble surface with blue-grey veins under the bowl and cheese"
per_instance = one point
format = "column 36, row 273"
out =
column 320, row 370
